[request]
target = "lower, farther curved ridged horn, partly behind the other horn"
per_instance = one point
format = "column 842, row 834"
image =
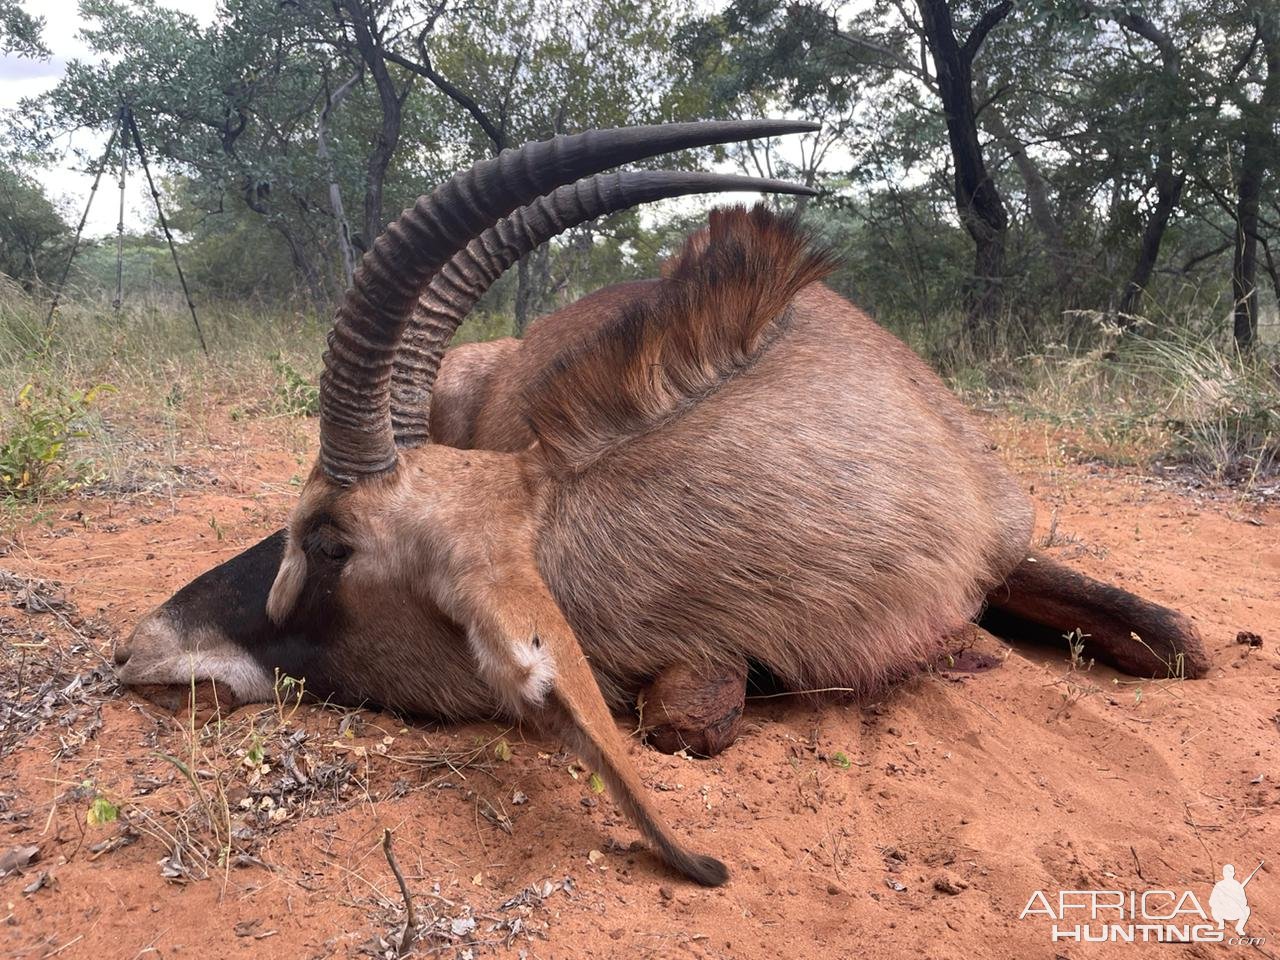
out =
column 455, row 290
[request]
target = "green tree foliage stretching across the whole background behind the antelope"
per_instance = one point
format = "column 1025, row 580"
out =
column 1086, row 115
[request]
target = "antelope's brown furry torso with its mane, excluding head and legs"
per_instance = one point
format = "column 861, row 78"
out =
column 817, row 502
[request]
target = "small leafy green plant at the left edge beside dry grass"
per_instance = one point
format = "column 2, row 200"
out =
column 34, row 447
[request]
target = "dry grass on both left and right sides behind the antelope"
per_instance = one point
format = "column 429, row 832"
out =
column 1185, row 404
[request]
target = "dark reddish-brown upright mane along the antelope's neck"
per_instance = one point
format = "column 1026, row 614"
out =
column 721, row 304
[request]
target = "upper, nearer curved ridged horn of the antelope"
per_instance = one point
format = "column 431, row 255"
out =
column 355, row 388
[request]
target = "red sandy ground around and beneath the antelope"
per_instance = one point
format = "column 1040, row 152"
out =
column 916, row 826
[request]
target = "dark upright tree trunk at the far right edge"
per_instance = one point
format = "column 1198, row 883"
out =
column 1256, row 150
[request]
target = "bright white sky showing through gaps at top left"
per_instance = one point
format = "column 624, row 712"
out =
column 22, row 79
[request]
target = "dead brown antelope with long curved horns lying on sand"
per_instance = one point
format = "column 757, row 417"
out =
column 726, row 465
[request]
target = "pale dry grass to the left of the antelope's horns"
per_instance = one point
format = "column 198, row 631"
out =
column 263, row 360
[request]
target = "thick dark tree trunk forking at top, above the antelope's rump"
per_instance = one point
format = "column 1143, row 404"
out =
column 979, row 202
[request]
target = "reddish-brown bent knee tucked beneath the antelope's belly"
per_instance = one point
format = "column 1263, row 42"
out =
column 692, row 708
